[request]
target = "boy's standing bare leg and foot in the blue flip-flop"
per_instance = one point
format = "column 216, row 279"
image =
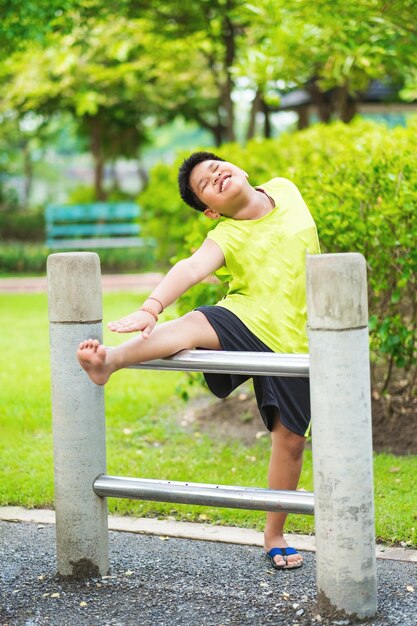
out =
column 284, row 473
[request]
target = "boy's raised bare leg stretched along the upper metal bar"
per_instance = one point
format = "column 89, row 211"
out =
column 190, row 331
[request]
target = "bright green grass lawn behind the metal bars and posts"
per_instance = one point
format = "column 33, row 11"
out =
column 145, row 437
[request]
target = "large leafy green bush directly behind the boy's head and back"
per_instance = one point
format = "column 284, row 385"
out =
column 360, row 183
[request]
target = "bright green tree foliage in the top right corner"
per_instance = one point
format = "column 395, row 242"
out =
column 331, row 49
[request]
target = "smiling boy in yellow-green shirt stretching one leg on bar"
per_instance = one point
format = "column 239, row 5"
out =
column 261, row 245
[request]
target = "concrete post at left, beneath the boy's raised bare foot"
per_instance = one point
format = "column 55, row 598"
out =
column 75, row 314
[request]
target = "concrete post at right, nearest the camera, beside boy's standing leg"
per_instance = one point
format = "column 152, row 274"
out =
column 342, row 436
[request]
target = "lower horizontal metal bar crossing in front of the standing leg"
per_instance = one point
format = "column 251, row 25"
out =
column 207, row 495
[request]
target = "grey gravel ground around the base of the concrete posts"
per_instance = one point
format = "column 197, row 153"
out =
column 170, row 582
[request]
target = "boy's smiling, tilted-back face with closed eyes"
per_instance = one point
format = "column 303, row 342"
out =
column 219, row 185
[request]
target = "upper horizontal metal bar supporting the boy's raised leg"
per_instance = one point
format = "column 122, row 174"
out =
column 223, row 362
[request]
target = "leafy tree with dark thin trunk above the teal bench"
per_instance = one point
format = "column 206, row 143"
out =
column 106, row 74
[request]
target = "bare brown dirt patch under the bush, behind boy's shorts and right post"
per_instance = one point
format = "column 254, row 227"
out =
column 394, row 420
